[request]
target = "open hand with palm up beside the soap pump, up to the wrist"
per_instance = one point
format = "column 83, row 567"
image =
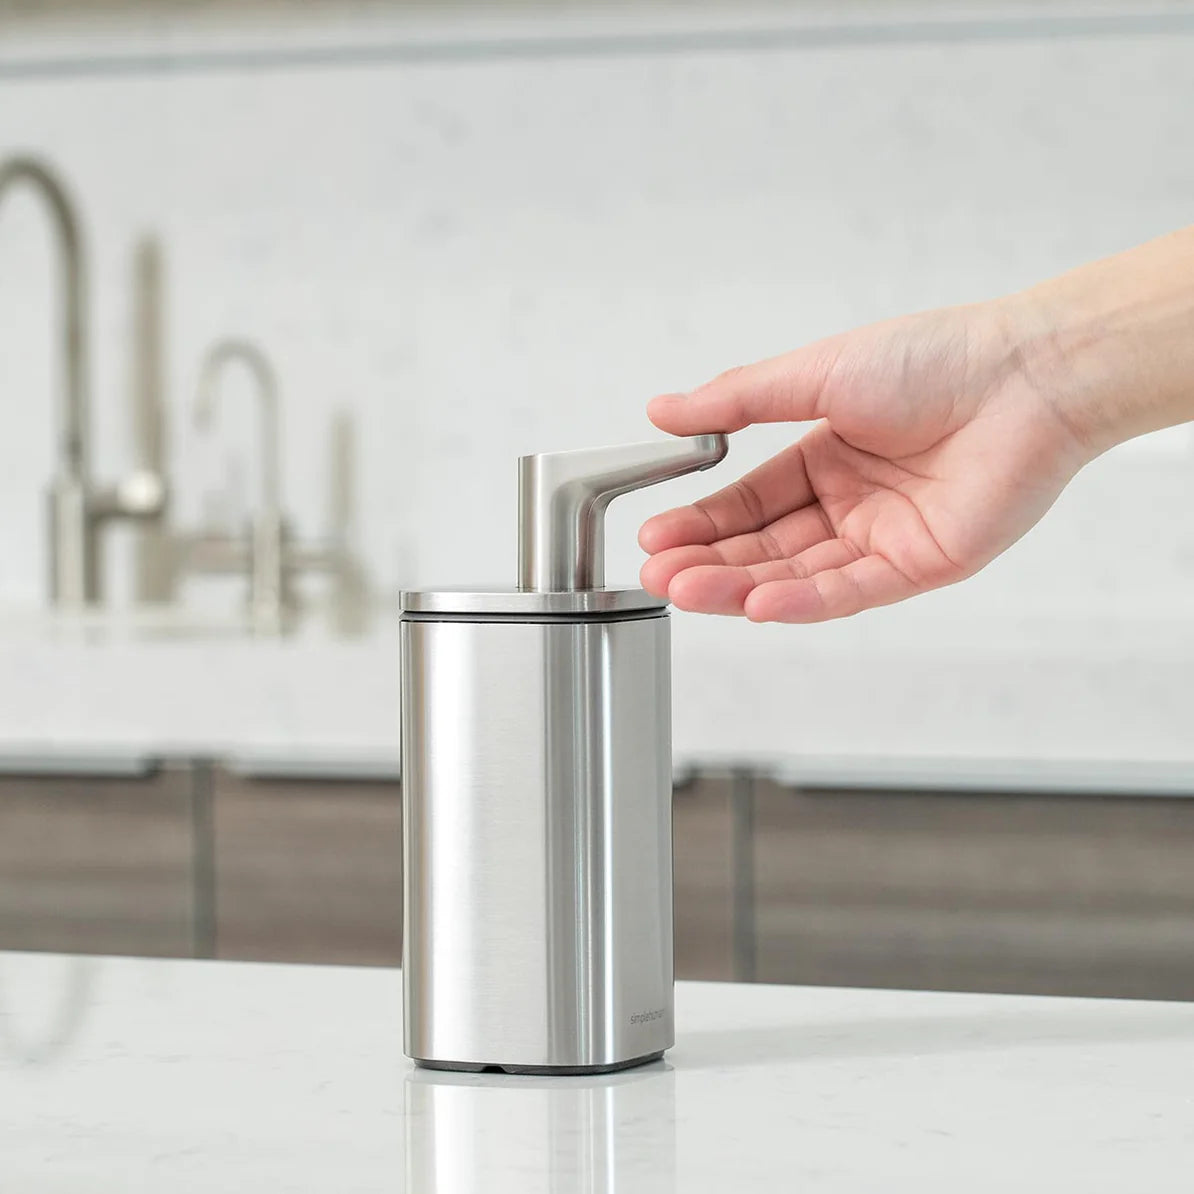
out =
column 937, row 448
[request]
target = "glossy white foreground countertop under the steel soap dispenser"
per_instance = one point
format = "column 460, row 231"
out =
column 151, row 1076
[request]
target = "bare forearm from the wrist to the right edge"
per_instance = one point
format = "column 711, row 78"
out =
column 1111, row 346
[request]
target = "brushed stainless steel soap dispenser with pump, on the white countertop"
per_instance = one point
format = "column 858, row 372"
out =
column 537, row 792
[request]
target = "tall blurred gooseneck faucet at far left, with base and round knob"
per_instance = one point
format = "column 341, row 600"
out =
column 78, row 509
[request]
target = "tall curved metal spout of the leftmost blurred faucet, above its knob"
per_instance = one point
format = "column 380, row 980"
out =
column 73, row 423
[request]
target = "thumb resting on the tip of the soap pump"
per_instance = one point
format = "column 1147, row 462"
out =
column 789, row 389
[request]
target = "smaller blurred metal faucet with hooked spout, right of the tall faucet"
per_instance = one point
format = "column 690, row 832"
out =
column 268, row 532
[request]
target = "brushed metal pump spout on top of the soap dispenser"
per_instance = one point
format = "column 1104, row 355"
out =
column 563, row 500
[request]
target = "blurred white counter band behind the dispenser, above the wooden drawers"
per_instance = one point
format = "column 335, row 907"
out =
column 901, row 686
